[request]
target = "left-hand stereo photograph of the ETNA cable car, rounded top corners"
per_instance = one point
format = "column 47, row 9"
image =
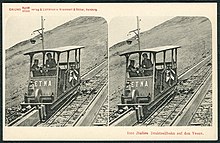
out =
column 56, row 77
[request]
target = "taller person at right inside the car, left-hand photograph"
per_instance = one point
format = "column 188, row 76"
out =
column 50, row 63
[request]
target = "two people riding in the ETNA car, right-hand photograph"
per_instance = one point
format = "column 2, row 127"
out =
column 145, row 68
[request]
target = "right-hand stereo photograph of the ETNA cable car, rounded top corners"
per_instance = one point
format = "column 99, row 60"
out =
column 160, row 71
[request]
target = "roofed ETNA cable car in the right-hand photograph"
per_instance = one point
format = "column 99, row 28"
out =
column 150, row 85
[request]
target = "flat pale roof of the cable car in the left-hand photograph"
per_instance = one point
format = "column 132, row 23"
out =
column 58, row 50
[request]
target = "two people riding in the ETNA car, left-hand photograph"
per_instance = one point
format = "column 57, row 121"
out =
column 50, row 63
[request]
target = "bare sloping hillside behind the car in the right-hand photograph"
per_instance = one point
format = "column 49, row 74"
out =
column 193, row 34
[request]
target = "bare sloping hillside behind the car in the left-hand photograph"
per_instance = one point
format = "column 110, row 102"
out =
column 90, row 32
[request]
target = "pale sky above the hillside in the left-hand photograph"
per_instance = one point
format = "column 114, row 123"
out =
column 20, row 28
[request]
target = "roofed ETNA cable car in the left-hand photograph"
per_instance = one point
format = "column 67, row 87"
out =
column 51, row 84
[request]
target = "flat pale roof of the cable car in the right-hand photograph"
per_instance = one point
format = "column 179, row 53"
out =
column 151, row 50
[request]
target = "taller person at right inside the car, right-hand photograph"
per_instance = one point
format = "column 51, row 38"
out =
column 147, row 65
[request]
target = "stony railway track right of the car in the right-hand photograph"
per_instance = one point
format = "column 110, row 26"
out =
column 186, row 90
